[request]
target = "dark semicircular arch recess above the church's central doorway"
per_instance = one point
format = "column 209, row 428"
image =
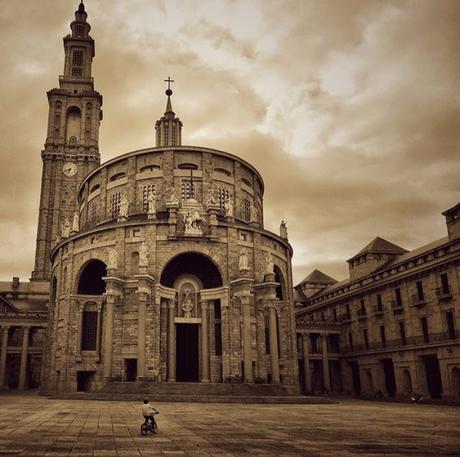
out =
column 192, row 263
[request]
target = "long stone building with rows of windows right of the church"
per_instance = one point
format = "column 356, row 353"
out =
column 392, row 328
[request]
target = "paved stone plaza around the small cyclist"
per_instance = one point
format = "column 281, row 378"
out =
column 35, row 426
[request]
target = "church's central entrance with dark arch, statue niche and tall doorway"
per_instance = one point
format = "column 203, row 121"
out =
column 190, row 315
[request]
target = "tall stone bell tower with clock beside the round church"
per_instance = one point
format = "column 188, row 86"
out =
column 72, row 143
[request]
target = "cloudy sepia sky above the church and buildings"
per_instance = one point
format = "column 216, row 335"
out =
column 350, row 109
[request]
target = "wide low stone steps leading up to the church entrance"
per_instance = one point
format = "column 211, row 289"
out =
column 193, row 392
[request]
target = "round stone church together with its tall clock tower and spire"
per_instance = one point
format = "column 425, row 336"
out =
column 154, row 266
